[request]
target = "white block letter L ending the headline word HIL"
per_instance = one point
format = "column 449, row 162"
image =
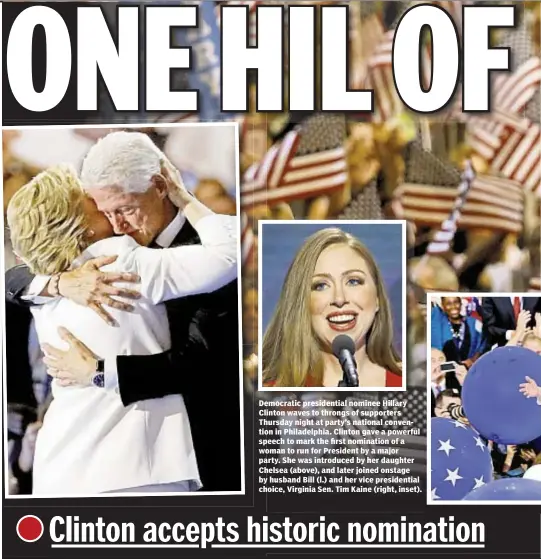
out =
column 335, row 94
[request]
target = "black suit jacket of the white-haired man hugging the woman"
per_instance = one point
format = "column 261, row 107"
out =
column 203, row 366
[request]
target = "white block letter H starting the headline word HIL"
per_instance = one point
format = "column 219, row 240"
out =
column 237, row 57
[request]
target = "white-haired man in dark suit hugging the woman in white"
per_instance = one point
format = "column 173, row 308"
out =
column 133, row 183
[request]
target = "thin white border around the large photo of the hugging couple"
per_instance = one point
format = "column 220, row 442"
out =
column 139, row 127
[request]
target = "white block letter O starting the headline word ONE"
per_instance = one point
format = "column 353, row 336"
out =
column 19, row 58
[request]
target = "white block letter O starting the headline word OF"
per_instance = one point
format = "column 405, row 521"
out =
column 408, row 52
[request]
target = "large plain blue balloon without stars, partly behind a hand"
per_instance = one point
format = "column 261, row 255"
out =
column 492, row 400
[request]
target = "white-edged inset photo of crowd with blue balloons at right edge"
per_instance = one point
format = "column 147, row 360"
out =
column 483, row 398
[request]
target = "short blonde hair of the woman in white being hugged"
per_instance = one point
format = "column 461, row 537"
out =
column 47, row 221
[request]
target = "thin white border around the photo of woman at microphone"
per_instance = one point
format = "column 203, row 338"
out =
column 332, row 223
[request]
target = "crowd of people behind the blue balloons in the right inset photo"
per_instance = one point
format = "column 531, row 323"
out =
column 463, row 329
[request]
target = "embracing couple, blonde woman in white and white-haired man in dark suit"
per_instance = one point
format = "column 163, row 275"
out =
column 132, row 284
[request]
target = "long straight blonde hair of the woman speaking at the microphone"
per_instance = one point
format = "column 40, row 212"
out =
column 291, row 350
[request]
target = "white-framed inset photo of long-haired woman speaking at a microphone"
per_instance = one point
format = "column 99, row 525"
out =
column 332, row 300
